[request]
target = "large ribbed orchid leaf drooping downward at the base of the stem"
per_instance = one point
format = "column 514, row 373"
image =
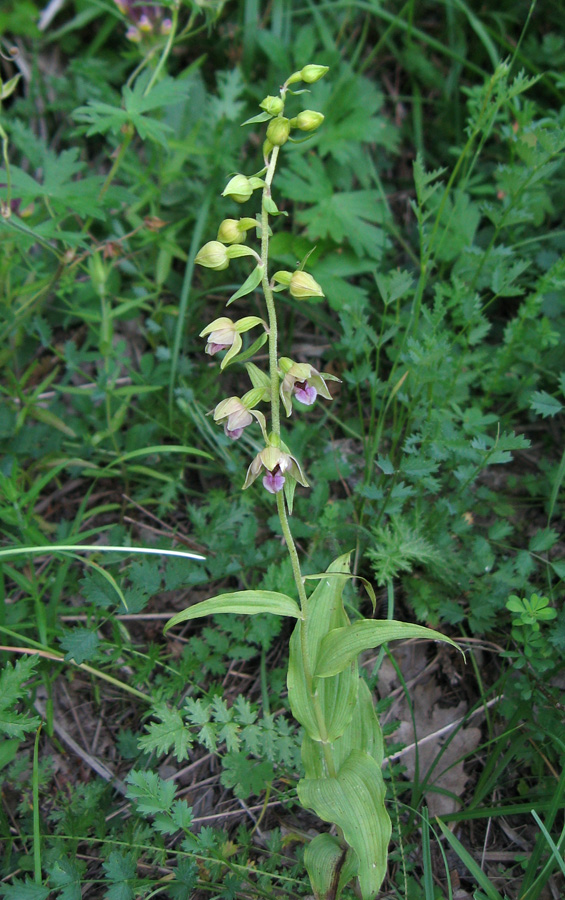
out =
column 354, row 801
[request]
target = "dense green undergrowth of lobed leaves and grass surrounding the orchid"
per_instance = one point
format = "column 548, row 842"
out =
column 137, row 765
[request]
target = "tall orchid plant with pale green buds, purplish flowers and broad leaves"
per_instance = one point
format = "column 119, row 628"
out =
column 342, row 749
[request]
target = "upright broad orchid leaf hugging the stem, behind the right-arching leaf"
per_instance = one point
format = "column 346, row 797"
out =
column 336, row 696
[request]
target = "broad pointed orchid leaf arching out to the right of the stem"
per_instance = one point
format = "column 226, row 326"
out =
column 342, row 645
